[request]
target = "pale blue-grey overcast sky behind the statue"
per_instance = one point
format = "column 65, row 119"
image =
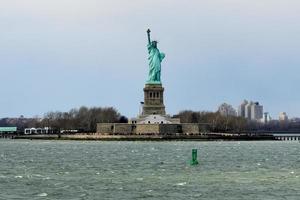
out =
column 60, row 54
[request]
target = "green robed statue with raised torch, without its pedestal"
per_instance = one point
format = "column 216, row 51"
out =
column 155, row 58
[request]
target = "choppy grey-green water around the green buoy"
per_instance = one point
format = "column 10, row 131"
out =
column 149, row 170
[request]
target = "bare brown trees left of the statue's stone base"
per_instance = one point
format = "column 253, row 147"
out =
column 83, row 119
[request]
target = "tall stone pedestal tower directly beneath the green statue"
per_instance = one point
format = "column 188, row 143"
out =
column 153, row 100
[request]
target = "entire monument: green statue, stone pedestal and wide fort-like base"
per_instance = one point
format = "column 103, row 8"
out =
column 153, row 119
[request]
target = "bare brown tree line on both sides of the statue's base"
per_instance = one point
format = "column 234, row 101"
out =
column 85, row 119
